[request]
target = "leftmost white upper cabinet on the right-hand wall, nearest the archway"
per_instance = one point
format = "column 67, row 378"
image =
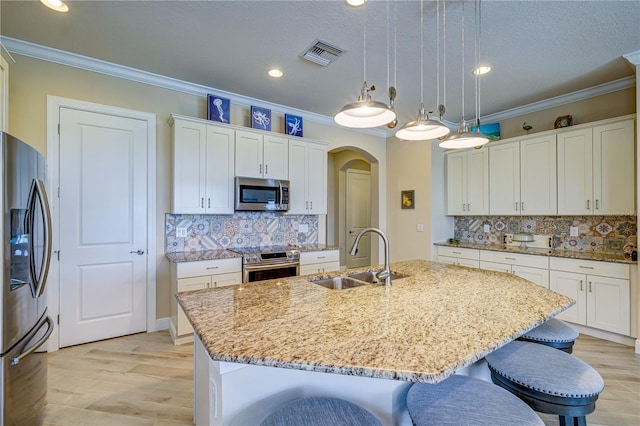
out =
column 468, row 182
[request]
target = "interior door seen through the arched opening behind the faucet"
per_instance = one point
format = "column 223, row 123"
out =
column 358, row 216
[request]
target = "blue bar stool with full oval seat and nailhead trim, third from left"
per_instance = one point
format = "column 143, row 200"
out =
column 549, row 380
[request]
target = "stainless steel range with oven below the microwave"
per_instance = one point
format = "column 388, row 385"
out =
column 267, row 263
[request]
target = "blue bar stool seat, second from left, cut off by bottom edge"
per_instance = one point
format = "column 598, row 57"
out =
column 464, row 400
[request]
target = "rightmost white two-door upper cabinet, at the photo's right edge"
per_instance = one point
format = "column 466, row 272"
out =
column 596, row 170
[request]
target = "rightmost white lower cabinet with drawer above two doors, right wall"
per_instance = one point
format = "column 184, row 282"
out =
column 601, row 291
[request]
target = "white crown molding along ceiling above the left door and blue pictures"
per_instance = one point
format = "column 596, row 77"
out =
column 62, row 57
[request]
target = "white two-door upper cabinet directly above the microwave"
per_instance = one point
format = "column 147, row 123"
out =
column 261, row 156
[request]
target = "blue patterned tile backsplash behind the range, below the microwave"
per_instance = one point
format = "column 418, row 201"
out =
column 243, row 229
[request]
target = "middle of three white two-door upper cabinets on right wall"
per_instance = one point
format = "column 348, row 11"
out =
column 522, row 177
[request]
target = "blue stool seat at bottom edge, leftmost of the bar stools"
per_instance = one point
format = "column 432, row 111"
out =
column 320, row 411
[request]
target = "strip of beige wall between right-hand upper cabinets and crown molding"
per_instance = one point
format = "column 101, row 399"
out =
column 601, row 107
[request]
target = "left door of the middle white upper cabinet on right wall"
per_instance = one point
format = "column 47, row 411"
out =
column 504, row 179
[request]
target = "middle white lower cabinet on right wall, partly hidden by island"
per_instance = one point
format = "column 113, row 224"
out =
column 530, row 267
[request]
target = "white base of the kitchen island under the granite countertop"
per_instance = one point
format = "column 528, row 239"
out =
column 227, row 393
